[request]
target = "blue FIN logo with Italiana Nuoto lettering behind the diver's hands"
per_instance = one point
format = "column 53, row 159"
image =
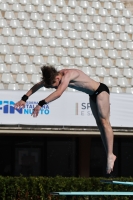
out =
column 8, row 108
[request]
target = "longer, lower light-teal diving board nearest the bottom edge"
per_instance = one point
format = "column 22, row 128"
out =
column 92, row 193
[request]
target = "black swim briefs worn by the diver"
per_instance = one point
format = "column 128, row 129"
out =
column 102, row 87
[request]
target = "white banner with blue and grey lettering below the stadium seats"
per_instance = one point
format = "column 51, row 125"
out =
column 71, row 109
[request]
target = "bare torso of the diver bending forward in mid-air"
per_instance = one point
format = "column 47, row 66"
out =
column 80, row 81
